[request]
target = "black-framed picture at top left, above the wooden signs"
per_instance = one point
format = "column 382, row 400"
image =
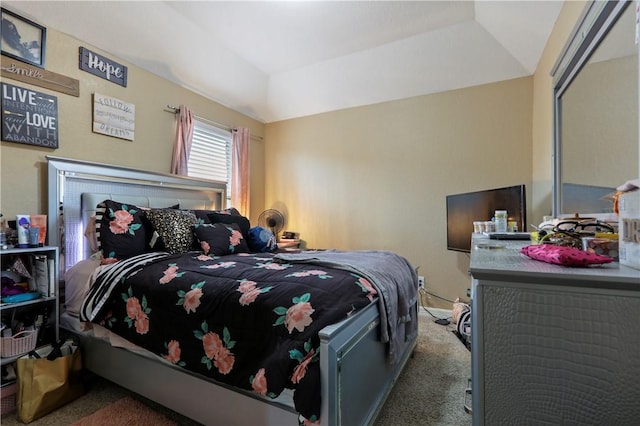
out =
column 22, row 39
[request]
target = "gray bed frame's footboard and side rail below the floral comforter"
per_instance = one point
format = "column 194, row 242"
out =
column 356, row 379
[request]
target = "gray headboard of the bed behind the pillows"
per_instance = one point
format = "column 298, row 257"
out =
column 76, row 187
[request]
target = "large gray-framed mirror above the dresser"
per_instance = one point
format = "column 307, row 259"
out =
column 596, row 110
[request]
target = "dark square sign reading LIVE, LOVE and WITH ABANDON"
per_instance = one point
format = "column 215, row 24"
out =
column 29, row 117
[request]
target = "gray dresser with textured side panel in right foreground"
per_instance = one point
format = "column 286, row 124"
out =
column 553, row 345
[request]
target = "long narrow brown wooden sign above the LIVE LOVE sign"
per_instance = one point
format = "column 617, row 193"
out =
column 16, row 70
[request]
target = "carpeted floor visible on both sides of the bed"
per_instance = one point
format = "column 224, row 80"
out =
column 429, row 392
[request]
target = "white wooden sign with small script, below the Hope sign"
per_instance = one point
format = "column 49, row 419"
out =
column 113, row 117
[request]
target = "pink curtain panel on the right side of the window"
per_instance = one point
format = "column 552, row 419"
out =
column 240, row 177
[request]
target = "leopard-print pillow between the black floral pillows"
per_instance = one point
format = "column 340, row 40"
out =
column 172, row 230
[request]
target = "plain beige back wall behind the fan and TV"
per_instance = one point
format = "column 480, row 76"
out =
column 376, row 177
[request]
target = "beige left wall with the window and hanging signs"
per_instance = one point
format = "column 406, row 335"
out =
column 23, row 175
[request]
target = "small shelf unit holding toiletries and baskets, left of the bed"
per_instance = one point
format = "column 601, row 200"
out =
column 47, row 304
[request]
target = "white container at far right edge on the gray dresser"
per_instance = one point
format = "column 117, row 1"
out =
column 629, row 229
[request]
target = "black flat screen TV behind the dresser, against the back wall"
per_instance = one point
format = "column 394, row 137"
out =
column 464, row 209
